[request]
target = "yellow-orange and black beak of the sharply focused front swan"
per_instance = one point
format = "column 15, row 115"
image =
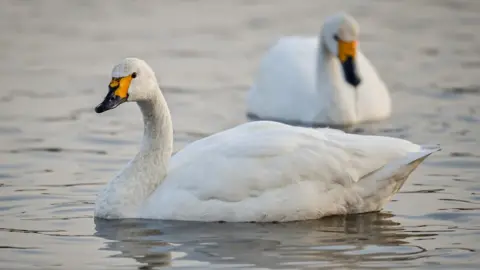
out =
column 117, row 94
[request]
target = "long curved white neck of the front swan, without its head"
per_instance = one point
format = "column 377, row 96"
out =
column 123, row 195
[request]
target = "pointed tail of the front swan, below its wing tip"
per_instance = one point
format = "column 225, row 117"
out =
column 378, row 187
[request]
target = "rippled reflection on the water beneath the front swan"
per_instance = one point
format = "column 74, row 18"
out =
column 334, row 241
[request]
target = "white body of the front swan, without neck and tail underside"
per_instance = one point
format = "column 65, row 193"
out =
column 265, row 171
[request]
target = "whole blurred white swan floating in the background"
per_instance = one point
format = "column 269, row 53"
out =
column 324, row 81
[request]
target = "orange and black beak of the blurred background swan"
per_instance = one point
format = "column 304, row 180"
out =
column 347, row 52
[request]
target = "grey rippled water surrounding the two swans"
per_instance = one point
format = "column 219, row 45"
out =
column 56, row 153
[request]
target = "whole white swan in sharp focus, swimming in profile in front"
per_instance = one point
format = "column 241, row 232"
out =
column 261, row 171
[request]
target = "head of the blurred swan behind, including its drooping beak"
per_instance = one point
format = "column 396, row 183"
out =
column 339, row 35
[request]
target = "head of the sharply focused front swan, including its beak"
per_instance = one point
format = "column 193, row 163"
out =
column 132, row 81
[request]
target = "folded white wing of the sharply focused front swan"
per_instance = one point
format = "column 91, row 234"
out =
column 262, row 156
